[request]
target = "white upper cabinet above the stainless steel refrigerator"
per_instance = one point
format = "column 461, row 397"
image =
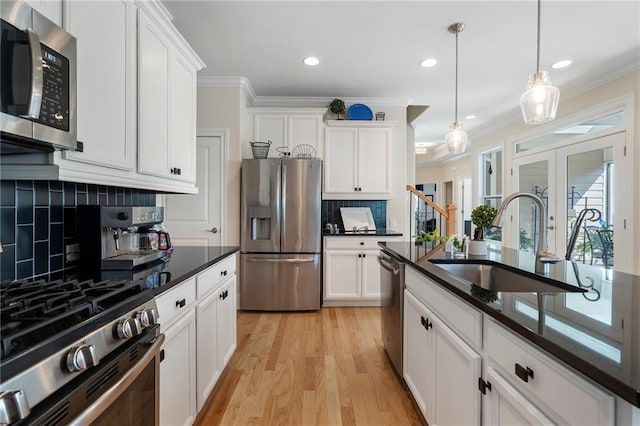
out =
column 286, row 129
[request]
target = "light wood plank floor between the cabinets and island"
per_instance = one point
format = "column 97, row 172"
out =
column 326, row 368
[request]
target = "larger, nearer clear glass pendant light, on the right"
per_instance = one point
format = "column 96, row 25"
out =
column 540, row 102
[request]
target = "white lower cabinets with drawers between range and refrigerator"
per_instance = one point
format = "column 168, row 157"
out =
column 200, row 337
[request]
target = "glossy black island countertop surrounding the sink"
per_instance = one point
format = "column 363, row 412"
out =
column 596, row 332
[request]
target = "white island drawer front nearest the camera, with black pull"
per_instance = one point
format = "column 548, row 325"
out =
column 573, row 398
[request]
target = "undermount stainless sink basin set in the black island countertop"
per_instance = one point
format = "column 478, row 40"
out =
column 496, row 277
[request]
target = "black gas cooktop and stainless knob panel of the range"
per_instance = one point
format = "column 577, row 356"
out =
column 53, row 333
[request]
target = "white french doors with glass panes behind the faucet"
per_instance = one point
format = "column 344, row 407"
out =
column 572, row 178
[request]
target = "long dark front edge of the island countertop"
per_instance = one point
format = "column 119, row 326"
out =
column 605, row 380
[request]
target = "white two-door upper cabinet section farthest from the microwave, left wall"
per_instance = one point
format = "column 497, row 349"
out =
column 166, row 102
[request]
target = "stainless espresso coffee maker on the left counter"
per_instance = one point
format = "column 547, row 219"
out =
column 120, row 238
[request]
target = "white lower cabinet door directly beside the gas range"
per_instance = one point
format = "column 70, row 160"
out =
column 178, row 372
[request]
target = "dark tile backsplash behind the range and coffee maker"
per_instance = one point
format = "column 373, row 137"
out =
column 38, row 219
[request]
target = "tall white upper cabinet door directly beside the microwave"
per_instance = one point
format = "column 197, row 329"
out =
column 105, row 33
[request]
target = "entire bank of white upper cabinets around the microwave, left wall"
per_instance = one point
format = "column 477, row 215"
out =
column 136, row 94
